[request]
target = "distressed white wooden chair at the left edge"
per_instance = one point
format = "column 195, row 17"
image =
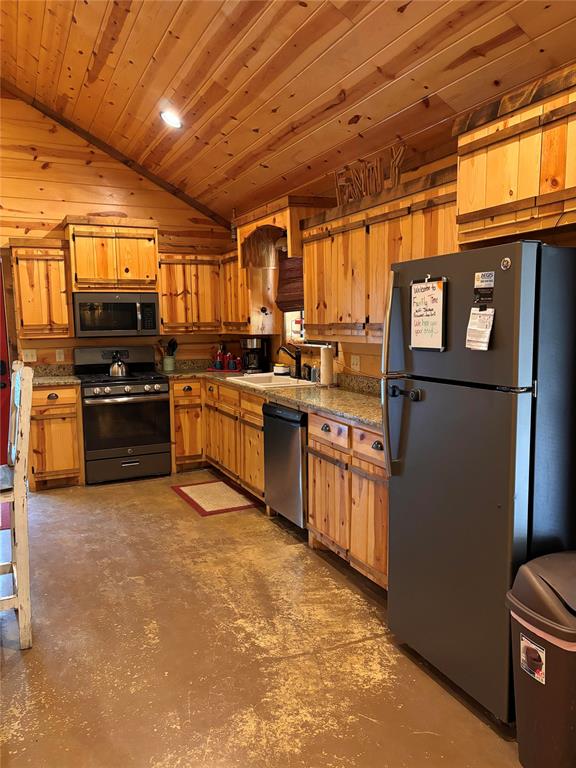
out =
column 14, row 491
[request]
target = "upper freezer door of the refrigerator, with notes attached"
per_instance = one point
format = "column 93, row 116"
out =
column 509, row 359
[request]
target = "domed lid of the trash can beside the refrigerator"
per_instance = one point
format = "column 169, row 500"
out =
column 544, row 594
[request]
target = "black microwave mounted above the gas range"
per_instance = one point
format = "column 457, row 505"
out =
column 116, row 314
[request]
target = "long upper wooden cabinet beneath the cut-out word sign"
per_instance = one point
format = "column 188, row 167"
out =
column 348, row 252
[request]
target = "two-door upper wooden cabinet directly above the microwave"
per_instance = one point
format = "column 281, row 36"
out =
column 108, row 258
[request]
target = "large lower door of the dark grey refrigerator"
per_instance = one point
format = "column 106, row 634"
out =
column 458, row 529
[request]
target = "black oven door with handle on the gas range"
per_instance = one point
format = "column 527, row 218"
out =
column 117, row 427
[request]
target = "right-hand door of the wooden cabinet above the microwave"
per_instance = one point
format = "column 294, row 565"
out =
column 136, row 259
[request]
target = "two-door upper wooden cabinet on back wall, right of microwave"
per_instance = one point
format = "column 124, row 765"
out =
column 189, row 293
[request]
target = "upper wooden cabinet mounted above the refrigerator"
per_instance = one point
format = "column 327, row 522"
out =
column 517, row 174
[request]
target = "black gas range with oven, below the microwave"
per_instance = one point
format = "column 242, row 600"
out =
column 126, row 418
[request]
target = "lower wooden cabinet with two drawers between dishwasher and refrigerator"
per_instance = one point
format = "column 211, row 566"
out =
column 348, row 495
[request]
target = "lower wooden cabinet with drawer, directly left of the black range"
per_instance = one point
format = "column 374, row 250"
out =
column 55, row 456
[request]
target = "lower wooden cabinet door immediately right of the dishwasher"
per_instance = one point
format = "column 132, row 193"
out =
column 329, row 495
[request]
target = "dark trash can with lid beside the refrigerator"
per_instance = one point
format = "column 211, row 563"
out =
column 542, row 605
